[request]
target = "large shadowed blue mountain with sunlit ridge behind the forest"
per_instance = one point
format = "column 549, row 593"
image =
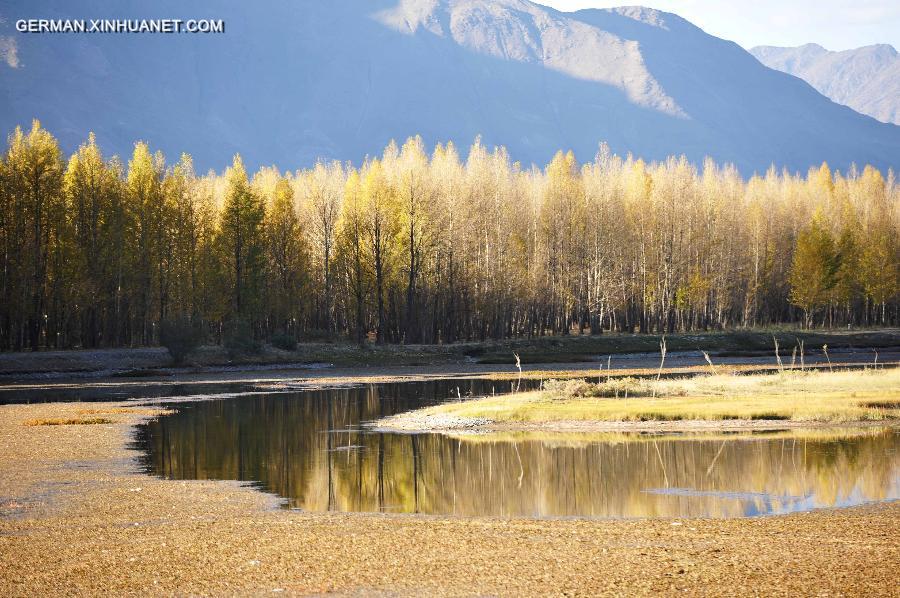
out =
column 292, row 81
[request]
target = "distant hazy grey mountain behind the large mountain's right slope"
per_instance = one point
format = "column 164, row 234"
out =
column 866, row 79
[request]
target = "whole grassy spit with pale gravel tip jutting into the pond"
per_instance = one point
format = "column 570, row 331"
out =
column 783, row 399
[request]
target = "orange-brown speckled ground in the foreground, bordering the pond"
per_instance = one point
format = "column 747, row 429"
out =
column 76, row 517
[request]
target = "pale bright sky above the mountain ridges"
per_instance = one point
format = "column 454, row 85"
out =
column 834, row 24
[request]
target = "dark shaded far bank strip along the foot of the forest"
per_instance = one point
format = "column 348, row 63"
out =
column 745, row 347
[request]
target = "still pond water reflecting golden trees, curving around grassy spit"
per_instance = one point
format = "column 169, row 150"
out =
column 310, row 448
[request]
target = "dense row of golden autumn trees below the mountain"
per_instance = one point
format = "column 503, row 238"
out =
column 425, row 246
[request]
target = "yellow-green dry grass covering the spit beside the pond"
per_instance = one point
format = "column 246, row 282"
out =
column 799, row 396
